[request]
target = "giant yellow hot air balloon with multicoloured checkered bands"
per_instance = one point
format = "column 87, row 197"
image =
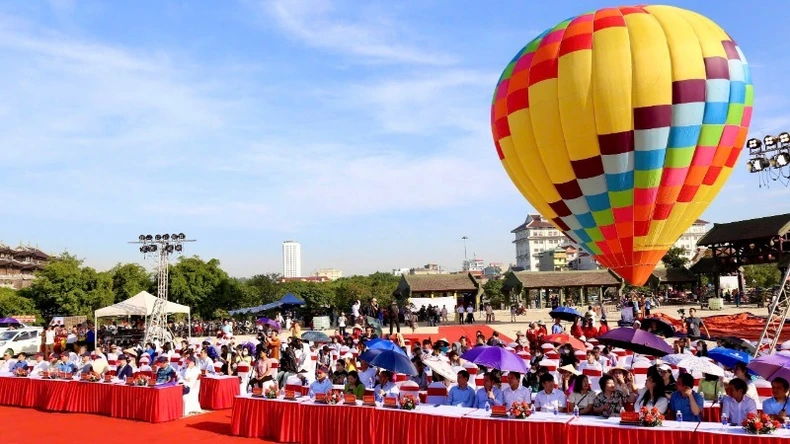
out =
column 621, row 125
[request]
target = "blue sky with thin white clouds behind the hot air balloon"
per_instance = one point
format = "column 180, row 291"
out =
column 359, row 129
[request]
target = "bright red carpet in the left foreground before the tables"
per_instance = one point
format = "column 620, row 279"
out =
column 28, row 425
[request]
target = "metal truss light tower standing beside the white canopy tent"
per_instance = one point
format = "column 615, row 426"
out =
column 163, row 245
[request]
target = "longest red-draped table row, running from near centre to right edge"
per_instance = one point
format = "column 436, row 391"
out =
column 302, row 421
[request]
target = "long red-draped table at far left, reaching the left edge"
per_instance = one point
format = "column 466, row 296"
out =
column 149, row 404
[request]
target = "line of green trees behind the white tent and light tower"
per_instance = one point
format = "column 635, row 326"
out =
column 66, row 287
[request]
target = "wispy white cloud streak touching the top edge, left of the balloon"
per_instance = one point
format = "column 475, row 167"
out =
column 371, row 36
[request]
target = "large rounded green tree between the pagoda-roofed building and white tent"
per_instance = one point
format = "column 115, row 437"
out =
column 65, row 287
